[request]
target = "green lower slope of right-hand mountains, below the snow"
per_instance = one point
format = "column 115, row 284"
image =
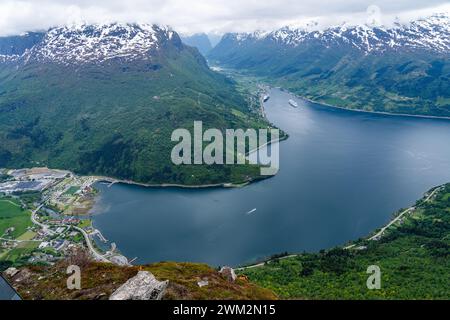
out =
column 401, row 80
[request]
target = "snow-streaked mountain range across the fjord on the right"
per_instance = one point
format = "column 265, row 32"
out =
column 400, row 69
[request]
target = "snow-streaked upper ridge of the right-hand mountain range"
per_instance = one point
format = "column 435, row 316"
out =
column 432, row 33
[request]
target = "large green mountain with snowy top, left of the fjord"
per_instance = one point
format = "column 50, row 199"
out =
column 104, row 99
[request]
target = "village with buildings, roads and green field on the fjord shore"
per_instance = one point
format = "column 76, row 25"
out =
column 45, row 217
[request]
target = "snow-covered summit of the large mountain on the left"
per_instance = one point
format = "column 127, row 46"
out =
column 97, row 43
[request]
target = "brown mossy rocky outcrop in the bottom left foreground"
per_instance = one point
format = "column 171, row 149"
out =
column 165, row 280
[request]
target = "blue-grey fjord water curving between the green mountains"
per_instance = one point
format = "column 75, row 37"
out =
column 342, row 175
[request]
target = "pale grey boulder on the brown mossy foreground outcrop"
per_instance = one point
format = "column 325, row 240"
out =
column 143, row 286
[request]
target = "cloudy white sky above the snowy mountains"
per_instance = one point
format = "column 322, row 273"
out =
column 212, row 16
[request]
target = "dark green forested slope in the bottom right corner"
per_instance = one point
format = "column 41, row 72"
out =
column 413, row 257
